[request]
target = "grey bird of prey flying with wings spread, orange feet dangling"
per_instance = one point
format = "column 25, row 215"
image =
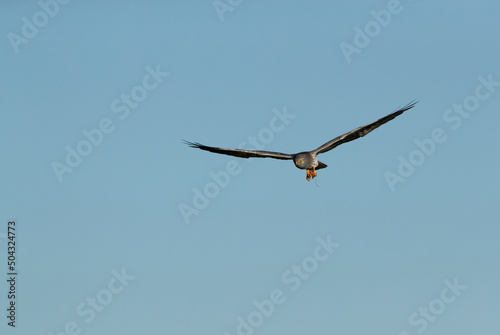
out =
column 307, row 160
